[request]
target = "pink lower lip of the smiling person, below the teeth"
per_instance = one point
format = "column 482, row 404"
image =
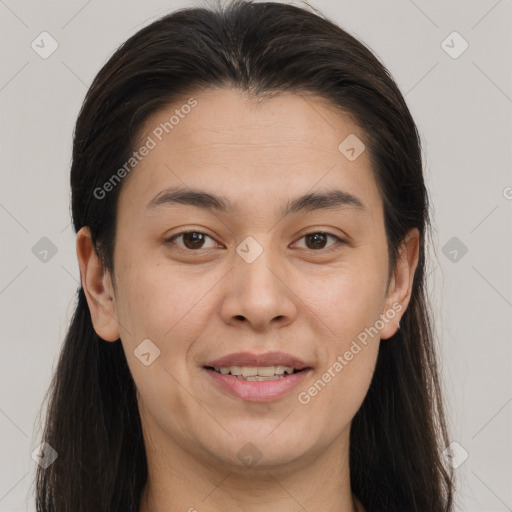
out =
column 258, row 391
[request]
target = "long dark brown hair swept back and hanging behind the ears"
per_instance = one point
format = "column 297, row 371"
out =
column 92, row 419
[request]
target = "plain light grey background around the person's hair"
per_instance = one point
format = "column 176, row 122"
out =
column 462, row 107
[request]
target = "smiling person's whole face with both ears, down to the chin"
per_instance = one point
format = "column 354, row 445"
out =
column 280, row 249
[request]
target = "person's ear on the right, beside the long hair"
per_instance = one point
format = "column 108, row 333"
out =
column 400, row 285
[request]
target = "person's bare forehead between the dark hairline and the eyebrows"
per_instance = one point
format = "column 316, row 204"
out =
column 255, row 151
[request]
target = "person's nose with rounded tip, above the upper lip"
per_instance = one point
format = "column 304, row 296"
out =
column 259, row 294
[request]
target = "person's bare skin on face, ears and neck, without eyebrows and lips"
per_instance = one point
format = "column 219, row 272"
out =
column 200, row 304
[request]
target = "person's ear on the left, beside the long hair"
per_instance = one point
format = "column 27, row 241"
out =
column 97, row 287
